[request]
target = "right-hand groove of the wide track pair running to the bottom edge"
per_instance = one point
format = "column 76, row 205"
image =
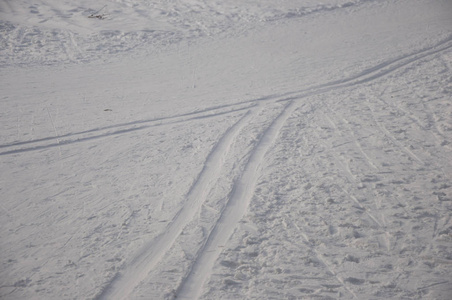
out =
column 234, row 211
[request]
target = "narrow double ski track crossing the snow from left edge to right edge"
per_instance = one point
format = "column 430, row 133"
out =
column 367, row 75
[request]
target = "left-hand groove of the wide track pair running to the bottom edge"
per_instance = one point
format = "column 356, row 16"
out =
column 124, row 282
